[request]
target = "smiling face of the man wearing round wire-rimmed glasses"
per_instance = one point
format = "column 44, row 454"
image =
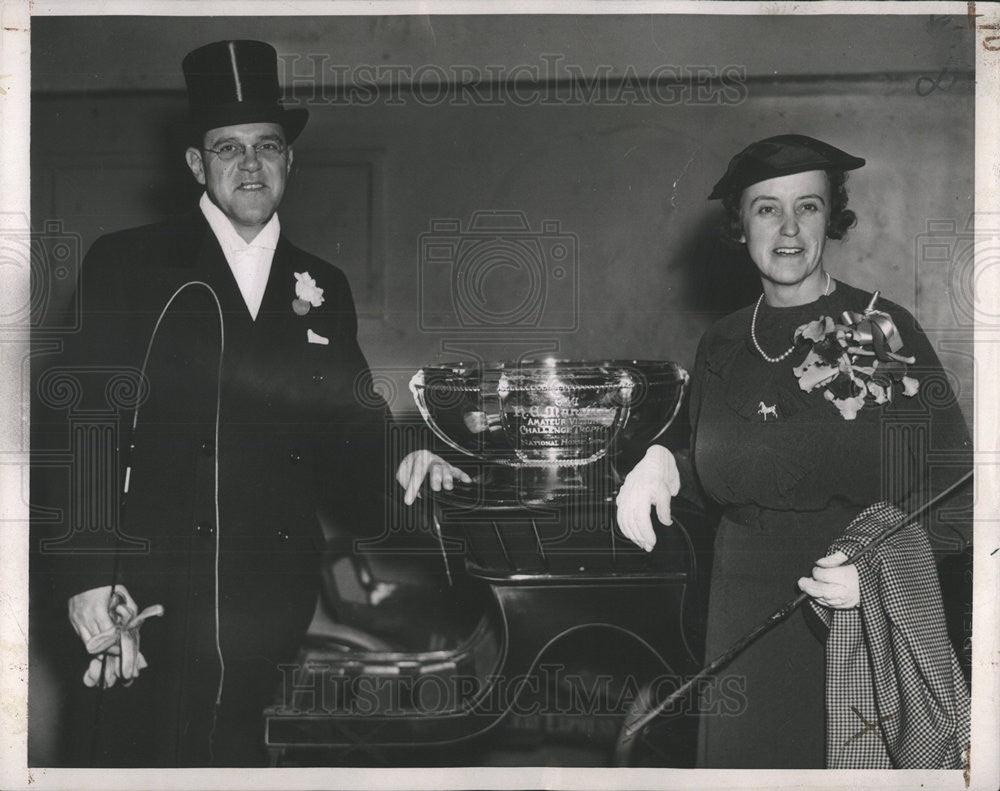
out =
column 248, row 188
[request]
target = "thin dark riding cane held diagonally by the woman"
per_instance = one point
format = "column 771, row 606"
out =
column 637, row 721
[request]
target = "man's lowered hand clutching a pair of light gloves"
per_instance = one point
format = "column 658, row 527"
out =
column 109, row 625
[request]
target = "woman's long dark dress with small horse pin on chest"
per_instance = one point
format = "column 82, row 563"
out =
column 789, row 483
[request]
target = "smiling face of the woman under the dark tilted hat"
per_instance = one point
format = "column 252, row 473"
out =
column 784, row 226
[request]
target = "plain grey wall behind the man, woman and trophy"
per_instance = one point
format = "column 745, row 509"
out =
column 627, row 184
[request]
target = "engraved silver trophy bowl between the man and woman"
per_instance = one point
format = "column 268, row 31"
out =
column 548, row 413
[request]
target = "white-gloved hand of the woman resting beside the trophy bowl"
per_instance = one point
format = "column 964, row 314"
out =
column 652, row 482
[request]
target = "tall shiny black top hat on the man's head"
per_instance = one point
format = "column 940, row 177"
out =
column 236, row 82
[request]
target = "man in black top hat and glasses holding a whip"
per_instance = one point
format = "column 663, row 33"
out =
column 256, row 411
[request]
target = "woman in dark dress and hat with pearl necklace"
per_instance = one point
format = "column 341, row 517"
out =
column 791, row 467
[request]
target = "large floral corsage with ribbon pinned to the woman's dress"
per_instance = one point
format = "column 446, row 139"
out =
column 855, row 361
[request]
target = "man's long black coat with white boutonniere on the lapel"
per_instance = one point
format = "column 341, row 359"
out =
column 232, row 501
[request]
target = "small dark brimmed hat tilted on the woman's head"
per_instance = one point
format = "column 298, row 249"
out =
column 781, row 156
